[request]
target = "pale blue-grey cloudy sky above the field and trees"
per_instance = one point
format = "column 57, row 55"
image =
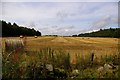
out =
column 61, row 17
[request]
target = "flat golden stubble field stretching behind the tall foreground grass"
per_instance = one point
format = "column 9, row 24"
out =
column 79, row 45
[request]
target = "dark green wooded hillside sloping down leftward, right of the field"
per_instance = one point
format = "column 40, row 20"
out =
column 111, row 32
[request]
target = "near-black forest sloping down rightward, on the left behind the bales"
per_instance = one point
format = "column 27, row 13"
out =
column 14, row 30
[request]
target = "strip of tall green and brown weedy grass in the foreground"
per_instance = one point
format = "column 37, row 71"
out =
column 55, row 64
